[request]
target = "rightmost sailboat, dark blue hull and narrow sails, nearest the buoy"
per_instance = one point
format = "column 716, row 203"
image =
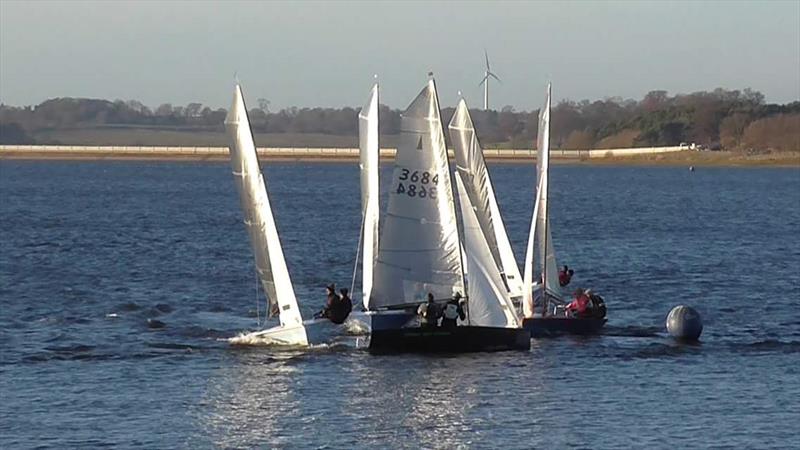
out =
column 551, row 318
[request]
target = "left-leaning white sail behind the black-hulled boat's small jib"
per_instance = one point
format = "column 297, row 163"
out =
column 471, row 166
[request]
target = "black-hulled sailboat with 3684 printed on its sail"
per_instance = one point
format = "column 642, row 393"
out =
column 420, row 252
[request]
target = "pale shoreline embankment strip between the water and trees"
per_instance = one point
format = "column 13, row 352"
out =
column 675, row 159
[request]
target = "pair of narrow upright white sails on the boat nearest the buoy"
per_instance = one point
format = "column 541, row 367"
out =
column 540, row 223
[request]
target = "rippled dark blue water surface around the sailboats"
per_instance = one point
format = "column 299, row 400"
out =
column 118, row 280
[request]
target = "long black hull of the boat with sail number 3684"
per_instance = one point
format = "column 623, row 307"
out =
column 464, row 339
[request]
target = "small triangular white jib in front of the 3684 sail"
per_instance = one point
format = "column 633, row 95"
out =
column 488, row 301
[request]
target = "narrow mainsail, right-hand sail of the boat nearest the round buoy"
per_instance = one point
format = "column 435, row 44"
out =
column 547, row 255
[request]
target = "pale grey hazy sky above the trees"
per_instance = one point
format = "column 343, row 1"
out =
column 325, row 53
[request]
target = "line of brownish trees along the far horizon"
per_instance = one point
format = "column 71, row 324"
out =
column 726, row 119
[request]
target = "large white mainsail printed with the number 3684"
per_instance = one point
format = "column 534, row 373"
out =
column 419, row 246
